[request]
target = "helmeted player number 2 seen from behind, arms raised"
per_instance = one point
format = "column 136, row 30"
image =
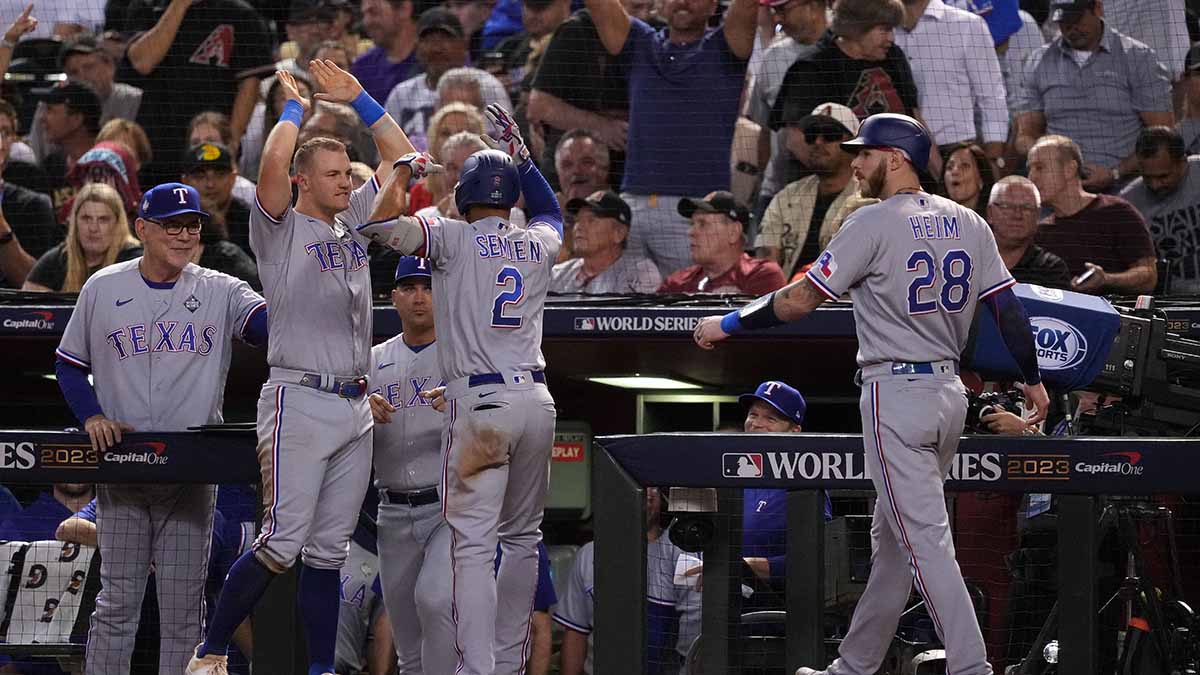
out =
column 490, row 283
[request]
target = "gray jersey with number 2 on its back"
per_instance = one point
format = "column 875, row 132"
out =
column 490, row 283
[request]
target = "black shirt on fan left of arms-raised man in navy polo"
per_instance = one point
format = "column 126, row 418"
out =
column 579, row 70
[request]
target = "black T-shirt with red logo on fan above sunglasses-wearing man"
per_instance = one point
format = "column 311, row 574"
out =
column 866, row 87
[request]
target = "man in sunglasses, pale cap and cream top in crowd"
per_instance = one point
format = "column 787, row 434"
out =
column 805, row 217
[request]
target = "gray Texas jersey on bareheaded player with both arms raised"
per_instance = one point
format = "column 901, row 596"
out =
column 309, row 267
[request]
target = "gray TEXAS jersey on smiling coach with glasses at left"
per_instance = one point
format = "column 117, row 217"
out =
column 142, row 342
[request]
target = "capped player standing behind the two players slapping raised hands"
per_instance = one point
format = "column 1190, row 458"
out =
column 415, row 540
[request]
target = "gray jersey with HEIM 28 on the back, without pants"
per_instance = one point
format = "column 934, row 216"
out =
column 916, row 266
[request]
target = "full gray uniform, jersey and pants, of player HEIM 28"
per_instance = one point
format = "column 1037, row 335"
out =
column 916, row 267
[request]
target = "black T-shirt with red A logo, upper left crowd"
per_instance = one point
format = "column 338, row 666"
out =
column 219, row 44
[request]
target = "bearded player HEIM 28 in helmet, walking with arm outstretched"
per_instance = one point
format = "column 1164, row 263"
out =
column 916, row 266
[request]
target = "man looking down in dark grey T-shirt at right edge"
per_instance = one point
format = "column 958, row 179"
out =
column 1168, row 195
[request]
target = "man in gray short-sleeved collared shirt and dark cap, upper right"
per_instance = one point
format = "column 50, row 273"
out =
column 1097, row 87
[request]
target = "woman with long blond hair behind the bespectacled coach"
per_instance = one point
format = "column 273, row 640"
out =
column 98, row 236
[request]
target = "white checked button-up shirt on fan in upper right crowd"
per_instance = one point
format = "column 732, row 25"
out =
column 957, row 73
